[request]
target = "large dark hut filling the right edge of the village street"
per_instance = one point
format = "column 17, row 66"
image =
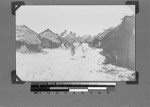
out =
column 119, row 44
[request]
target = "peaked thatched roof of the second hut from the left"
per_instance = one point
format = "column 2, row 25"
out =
column 48, row 34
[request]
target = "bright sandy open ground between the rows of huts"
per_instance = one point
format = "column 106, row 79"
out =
column 60, row 65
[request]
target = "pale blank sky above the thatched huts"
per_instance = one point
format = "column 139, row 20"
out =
column 81, row 19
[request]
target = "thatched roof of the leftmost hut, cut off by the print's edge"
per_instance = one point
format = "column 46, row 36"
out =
column 26, row 35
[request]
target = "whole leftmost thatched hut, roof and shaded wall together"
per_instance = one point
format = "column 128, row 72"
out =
column 27, row 40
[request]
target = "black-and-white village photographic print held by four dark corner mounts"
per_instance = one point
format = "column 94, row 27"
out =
column 75, row 43
